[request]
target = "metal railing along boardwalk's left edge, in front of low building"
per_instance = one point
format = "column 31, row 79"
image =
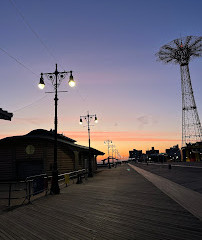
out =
column 35, row 185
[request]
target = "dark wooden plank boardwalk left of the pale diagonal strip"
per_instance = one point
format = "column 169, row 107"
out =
column 117, row 203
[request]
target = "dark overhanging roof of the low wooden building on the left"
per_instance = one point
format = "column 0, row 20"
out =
column 49, row 135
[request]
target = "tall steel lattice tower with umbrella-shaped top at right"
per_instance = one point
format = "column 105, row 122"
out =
column 181, row 51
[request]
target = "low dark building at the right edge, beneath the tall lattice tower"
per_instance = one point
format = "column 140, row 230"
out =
column 192, row 152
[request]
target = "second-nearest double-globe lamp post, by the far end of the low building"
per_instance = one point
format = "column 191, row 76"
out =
column 88, row 119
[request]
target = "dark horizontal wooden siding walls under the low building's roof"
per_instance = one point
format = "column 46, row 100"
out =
column 13, row 153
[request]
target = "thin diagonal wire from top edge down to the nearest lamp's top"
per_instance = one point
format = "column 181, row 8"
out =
column 33, row 31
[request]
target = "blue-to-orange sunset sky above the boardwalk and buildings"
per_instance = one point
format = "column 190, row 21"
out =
column 110, row 45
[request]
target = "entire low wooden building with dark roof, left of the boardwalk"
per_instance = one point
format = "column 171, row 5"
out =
column 33, row 153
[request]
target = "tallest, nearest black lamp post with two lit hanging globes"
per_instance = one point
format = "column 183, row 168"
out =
column 55, row 78
